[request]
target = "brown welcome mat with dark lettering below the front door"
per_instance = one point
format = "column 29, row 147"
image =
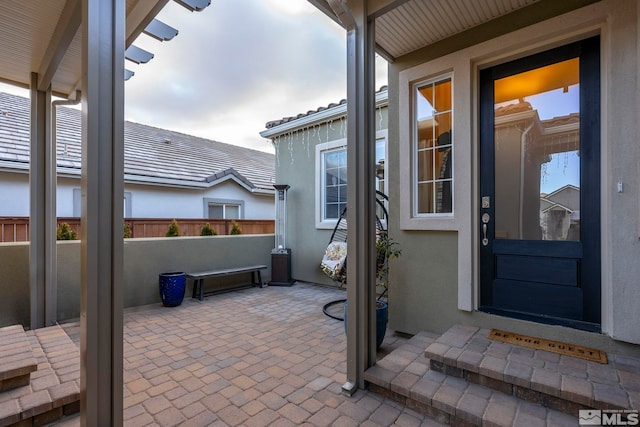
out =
column 549, row 345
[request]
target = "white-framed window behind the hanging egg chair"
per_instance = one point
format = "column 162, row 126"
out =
column 331, row 178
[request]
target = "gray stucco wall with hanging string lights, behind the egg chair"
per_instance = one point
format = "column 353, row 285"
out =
column 296, row 166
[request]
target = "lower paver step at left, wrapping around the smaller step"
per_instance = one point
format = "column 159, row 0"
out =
column 54, row 389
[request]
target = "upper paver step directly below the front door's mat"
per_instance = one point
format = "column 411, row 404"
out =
column 561, row 382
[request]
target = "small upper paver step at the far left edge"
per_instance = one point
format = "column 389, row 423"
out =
column 16, row 358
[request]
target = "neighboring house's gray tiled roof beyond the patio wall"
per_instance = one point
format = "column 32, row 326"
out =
column 151, row 155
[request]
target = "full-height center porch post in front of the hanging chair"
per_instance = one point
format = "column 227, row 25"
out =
column 361, row 330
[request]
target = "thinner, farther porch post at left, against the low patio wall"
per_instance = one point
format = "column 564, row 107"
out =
column 42, row 220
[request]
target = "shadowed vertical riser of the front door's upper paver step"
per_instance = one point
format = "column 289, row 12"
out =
column 525, row 393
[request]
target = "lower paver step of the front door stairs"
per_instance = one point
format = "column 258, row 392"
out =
column 406, row 376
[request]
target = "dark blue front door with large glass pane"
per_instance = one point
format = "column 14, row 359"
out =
column 540, row 187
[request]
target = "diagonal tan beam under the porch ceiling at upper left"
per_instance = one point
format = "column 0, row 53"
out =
column 63, row 35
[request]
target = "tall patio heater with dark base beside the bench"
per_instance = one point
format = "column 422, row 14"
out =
column 281, row 255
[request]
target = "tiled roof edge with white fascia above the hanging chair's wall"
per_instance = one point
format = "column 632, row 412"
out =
column 319, row 115
